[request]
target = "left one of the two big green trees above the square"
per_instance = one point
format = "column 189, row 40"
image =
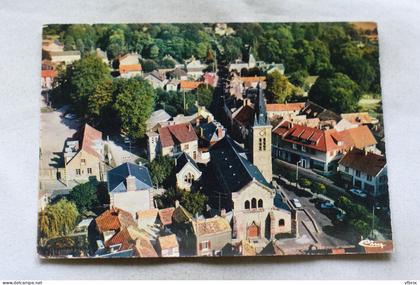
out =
column 83, row 78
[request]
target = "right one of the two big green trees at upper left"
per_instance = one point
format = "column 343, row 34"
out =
column 134, row 104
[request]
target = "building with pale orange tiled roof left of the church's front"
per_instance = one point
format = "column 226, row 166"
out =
column 210, row 235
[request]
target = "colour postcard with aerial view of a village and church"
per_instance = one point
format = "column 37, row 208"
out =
column 211, row 139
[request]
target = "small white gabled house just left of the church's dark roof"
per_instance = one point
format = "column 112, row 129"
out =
column 186, row 171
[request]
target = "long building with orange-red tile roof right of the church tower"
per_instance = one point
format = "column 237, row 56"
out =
column 317, row 148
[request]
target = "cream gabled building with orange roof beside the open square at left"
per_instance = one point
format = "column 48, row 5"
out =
column 84, row 156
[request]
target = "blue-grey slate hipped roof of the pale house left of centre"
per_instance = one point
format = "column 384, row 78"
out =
column 117, row 177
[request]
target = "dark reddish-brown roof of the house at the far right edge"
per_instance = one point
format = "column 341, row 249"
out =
column 366, row 162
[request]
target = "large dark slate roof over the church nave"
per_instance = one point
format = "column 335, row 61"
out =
column 232, row 168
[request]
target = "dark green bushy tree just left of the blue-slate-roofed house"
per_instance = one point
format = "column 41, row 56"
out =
column 84, row 196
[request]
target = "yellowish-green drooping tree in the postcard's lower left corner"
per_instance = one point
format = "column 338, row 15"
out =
column 57, row 219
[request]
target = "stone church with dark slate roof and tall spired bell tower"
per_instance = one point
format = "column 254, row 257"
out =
column 242, row 183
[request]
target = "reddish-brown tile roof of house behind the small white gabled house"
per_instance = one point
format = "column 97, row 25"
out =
column 176, row 134
